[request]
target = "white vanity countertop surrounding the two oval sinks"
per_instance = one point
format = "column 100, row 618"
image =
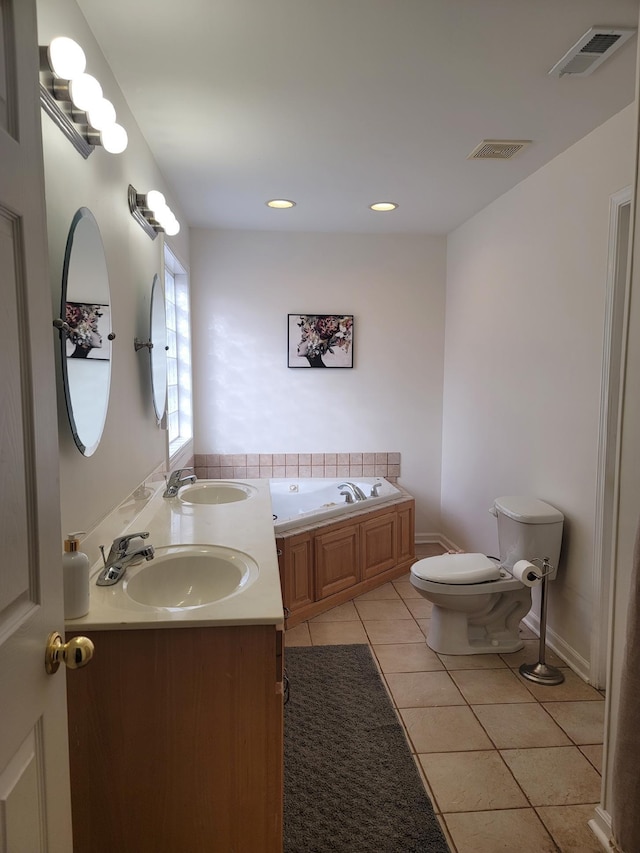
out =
column 244, row 526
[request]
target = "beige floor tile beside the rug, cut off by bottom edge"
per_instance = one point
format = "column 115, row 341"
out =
column 500, row 831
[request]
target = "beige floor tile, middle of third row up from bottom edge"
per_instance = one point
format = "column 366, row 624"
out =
column 520, row 725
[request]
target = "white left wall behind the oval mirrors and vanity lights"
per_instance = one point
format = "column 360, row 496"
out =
column 132, row 445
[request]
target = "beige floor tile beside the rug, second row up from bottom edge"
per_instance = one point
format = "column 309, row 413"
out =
column 471, row 781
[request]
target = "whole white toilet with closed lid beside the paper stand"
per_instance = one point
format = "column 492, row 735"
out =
column 477, row 603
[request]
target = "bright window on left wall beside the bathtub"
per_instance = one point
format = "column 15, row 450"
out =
column 179, row 394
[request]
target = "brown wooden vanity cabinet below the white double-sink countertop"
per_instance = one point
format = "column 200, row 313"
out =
column 176, row 741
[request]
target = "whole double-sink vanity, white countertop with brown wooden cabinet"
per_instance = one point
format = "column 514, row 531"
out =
column 176, row 726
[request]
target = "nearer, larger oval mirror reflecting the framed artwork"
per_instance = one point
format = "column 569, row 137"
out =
column 86, row 339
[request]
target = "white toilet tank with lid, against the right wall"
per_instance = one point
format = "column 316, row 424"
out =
column 528, row 528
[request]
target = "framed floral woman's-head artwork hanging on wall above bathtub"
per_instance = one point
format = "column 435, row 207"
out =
column 320, row 340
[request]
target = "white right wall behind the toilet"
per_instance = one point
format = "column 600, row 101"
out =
column 523, row 357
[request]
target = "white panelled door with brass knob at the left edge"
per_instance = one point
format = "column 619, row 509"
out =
column 35, row 812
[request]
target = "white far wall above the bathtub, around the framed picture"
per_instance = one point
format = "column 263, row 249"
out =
column 248, row 401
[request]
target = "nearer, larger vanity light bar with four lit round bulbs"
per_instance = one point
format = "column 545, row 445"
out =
column 73, row 99
